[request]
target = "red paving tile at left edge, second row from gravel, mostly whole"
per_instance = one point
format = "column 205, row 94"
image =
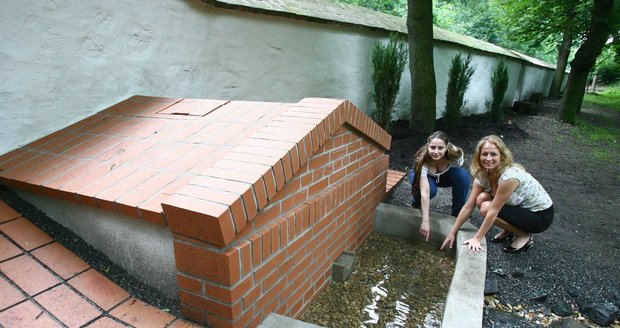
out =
column 28, row 274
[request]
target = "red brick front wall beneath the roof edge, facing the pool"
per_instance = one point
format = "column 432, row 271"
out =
column 282, row 259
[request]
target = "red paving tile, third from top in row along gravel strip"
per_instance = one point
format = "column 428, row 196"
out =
column 64, row 262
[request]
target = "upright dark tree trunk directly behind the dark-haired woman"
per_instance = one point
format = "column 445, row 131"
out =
column 423, row 85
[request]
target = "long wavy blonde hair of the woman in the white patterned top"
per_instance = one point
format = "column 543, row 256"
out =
column 506, row 160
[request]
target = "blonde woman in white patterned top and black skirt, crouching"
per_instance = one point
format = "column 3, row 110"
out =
column 503, row 189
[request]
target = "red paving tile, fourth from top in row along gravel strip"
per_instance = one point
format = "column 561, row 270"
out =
column 99, row 289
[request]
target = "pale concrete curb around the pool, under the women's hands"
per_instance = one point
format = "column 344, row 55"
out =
column 465, row 300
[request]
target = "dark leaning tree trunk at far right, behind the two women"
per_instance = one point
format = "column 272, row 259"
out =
column 603, row 20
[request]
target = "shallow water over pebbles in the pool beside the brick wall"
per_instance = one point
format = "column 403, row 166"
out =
column 395, row 283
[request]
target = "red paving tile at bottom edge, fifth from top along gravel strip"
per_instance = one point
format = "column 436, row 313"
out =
column 140, row 314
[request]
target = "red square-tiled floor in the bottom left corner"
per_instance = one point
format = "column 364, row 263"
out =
column 43, row 284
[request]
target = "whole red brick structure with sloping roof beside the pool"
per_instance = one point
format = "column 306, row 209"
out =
column 261, row 197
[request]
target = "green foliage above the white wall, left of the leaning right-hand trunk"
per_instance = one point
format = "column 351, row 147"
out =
column 533, row 27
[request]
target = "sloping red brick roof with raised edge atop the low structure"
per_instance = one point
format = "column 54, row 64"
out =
column 210, row 164
